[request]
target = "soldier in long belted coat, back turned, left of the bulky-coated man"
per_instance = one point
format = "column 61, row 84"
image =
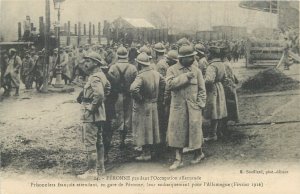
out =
column 145, row 90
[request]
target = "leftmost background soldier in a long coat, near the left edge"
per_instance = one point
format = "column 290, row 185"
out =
column 12, row 72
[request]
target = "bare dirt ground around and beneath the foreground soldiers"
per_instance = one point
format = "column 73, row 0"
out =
column 41, row 134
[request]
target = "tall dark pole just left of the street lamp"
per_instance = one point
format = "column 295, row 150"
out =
column 46, row 54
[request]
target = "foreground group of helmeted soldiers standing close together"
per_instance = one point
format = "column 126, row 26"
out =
column 164, row 91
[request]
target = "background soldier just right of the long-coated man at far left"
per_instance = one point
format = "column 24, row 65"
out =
column 26, row 70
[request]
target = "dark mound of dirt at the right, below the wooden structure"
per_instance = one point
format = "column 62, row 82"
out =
column 269, row 80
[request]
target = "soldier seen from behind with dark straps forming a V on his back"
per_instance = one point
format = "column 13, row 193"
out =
column 122, row 75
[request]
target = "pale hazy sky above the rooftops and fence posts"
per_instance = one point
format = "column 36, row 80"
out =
column 182, row 16
